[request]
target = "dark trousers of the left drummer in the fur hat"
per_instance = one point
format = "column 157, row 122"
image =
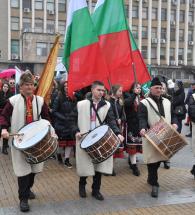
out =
column 25, row 183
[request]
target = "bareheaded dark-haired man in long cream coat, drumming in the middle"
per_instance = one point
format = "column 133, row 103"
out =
column 91, row 113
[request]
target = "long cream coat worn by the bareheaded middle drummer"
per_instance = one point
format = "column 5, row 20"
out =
column 84, row 164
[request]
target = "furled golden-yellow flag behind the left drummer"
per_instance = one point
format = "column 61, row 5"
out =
column 46, row 80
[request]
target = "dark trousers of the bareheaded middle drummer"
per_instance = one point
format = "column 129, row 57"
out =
column 96, row 182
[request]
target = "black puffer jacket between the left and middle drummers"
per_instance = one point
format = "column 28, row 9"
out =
column 62, row 117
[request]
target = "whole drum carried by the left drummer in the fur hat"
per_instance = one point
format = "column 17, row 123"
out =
column 36, row 142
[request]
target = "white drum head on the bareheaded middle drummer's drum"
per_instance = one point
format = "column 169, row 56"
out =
column 94, row 136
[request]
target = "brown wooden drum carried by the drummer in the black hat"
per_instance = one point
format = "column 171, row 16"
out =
column 165, row 139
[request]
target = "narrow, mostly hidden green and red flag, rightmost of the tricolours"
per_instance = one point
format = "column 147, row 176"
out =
column 142, row 74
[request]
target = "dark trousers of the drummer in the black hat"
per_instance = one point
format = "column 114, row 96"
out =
column 153, row 173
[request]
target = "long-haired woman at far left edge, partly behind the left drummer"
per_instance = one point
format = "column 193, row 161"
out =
column 4, row 95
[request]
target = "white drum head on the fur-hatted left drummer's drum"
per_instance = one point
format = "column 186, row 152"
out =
column 31, row 134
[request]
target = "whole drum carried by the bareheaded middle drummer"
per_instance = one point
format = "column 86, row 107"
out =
column 100, row 143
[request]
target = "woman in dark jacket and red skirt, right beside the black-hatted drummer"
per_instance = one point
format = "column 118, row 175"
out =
column 133, row 145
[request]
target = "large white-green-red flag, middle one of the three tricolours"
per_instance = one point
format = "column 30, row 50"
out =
column 111, row 25
